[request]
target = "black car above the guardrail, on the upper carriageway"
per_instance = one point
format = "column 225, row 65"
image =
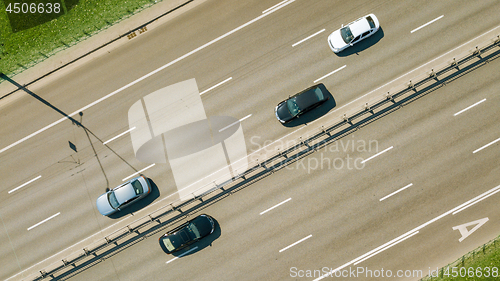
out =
column 302, row 102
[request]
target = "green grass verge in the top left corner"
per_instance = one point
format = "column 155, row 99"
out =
column 23, row 49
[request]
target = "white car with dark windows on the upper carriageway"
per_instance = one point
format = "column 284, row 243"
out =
column 353, row 33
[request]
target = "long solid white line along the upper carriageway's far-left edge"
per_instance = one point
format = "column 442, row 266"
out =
column 146, row 76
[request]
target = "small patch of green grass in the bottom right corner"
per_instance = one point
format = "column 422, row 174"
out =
column 487, row 255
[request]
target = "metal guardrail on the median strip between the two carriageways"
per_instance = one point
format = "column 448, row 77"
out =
column 325, row 134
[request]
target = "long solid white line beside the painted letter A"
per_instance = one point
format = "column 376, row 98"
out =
column 405, row 235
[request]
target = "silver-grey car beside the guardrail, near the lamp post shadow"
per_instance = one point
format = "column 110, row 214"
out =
column 123, row 195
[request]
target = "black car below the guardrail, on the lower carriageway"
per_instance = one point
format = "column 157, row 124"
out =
column 187, row 233
